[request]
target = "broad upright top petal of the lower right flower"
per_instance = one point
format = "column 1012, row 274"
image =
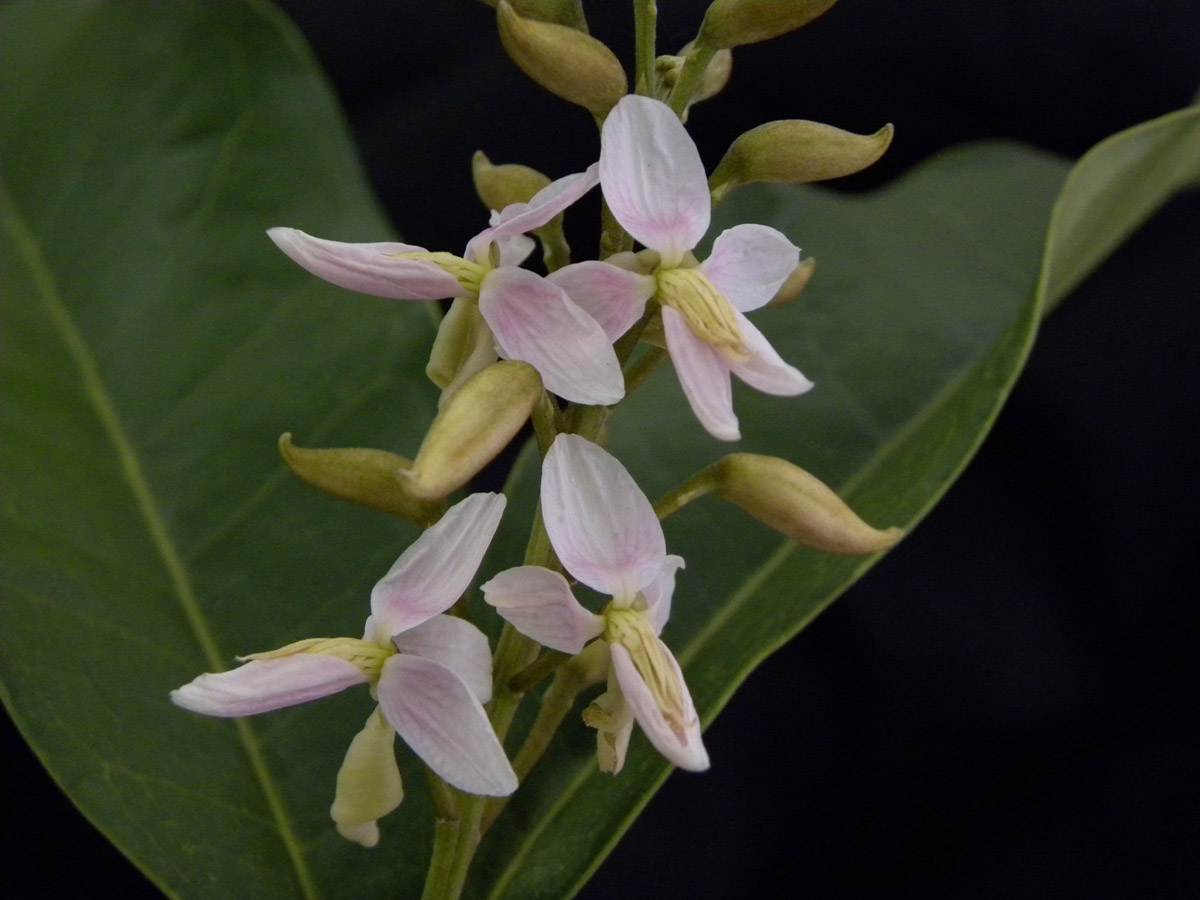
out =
column 599, row 521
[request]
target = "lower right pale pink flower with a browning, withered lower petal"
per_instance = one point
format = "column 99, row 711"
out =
column 607, row 535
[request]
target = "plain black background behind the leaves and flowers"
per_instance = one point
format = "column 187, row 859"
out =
column 1005, row 707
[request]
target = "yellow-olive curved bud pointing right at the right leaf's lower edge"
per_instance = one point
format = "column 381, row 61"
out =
column 797, row 505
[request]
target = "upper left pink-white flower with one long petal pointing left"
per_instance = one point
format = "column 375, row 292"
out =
column 499, row 308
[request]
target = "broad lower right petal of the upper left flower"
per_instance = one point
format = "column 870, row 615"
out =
column 536, row 322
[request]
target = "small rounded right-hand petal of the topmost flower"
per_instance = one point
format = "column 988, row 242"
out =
column 749, row 263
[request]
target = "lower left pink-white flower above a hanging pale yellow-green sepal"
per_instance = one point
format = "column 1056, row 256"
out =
column 430, row 673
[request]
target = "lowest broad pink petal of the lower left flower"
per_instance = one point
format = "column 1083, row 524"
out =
column 441, row 719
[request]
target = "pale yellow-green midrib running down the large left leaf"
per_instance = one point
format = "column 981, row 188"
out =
column 31, row 253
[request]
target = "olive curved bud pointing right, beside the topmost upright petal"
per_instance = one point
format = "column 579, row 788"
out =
column 796, row 151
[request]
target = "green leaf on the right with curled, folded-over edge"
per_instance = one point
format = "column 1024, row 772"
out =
column 922, row 314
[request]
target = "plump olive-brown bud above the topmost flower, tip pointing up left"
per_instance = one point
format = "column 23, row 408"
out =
column 568, row 63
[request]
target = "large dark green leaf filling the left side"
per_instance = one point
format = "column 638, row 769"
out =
column 155, row 345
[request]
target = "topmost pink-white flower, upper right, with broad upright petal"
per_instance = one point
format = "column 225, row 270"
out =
column 655, row 183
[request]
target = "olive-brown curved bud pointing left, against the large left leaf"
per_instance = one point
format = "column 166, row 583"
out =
column 363, row 476
